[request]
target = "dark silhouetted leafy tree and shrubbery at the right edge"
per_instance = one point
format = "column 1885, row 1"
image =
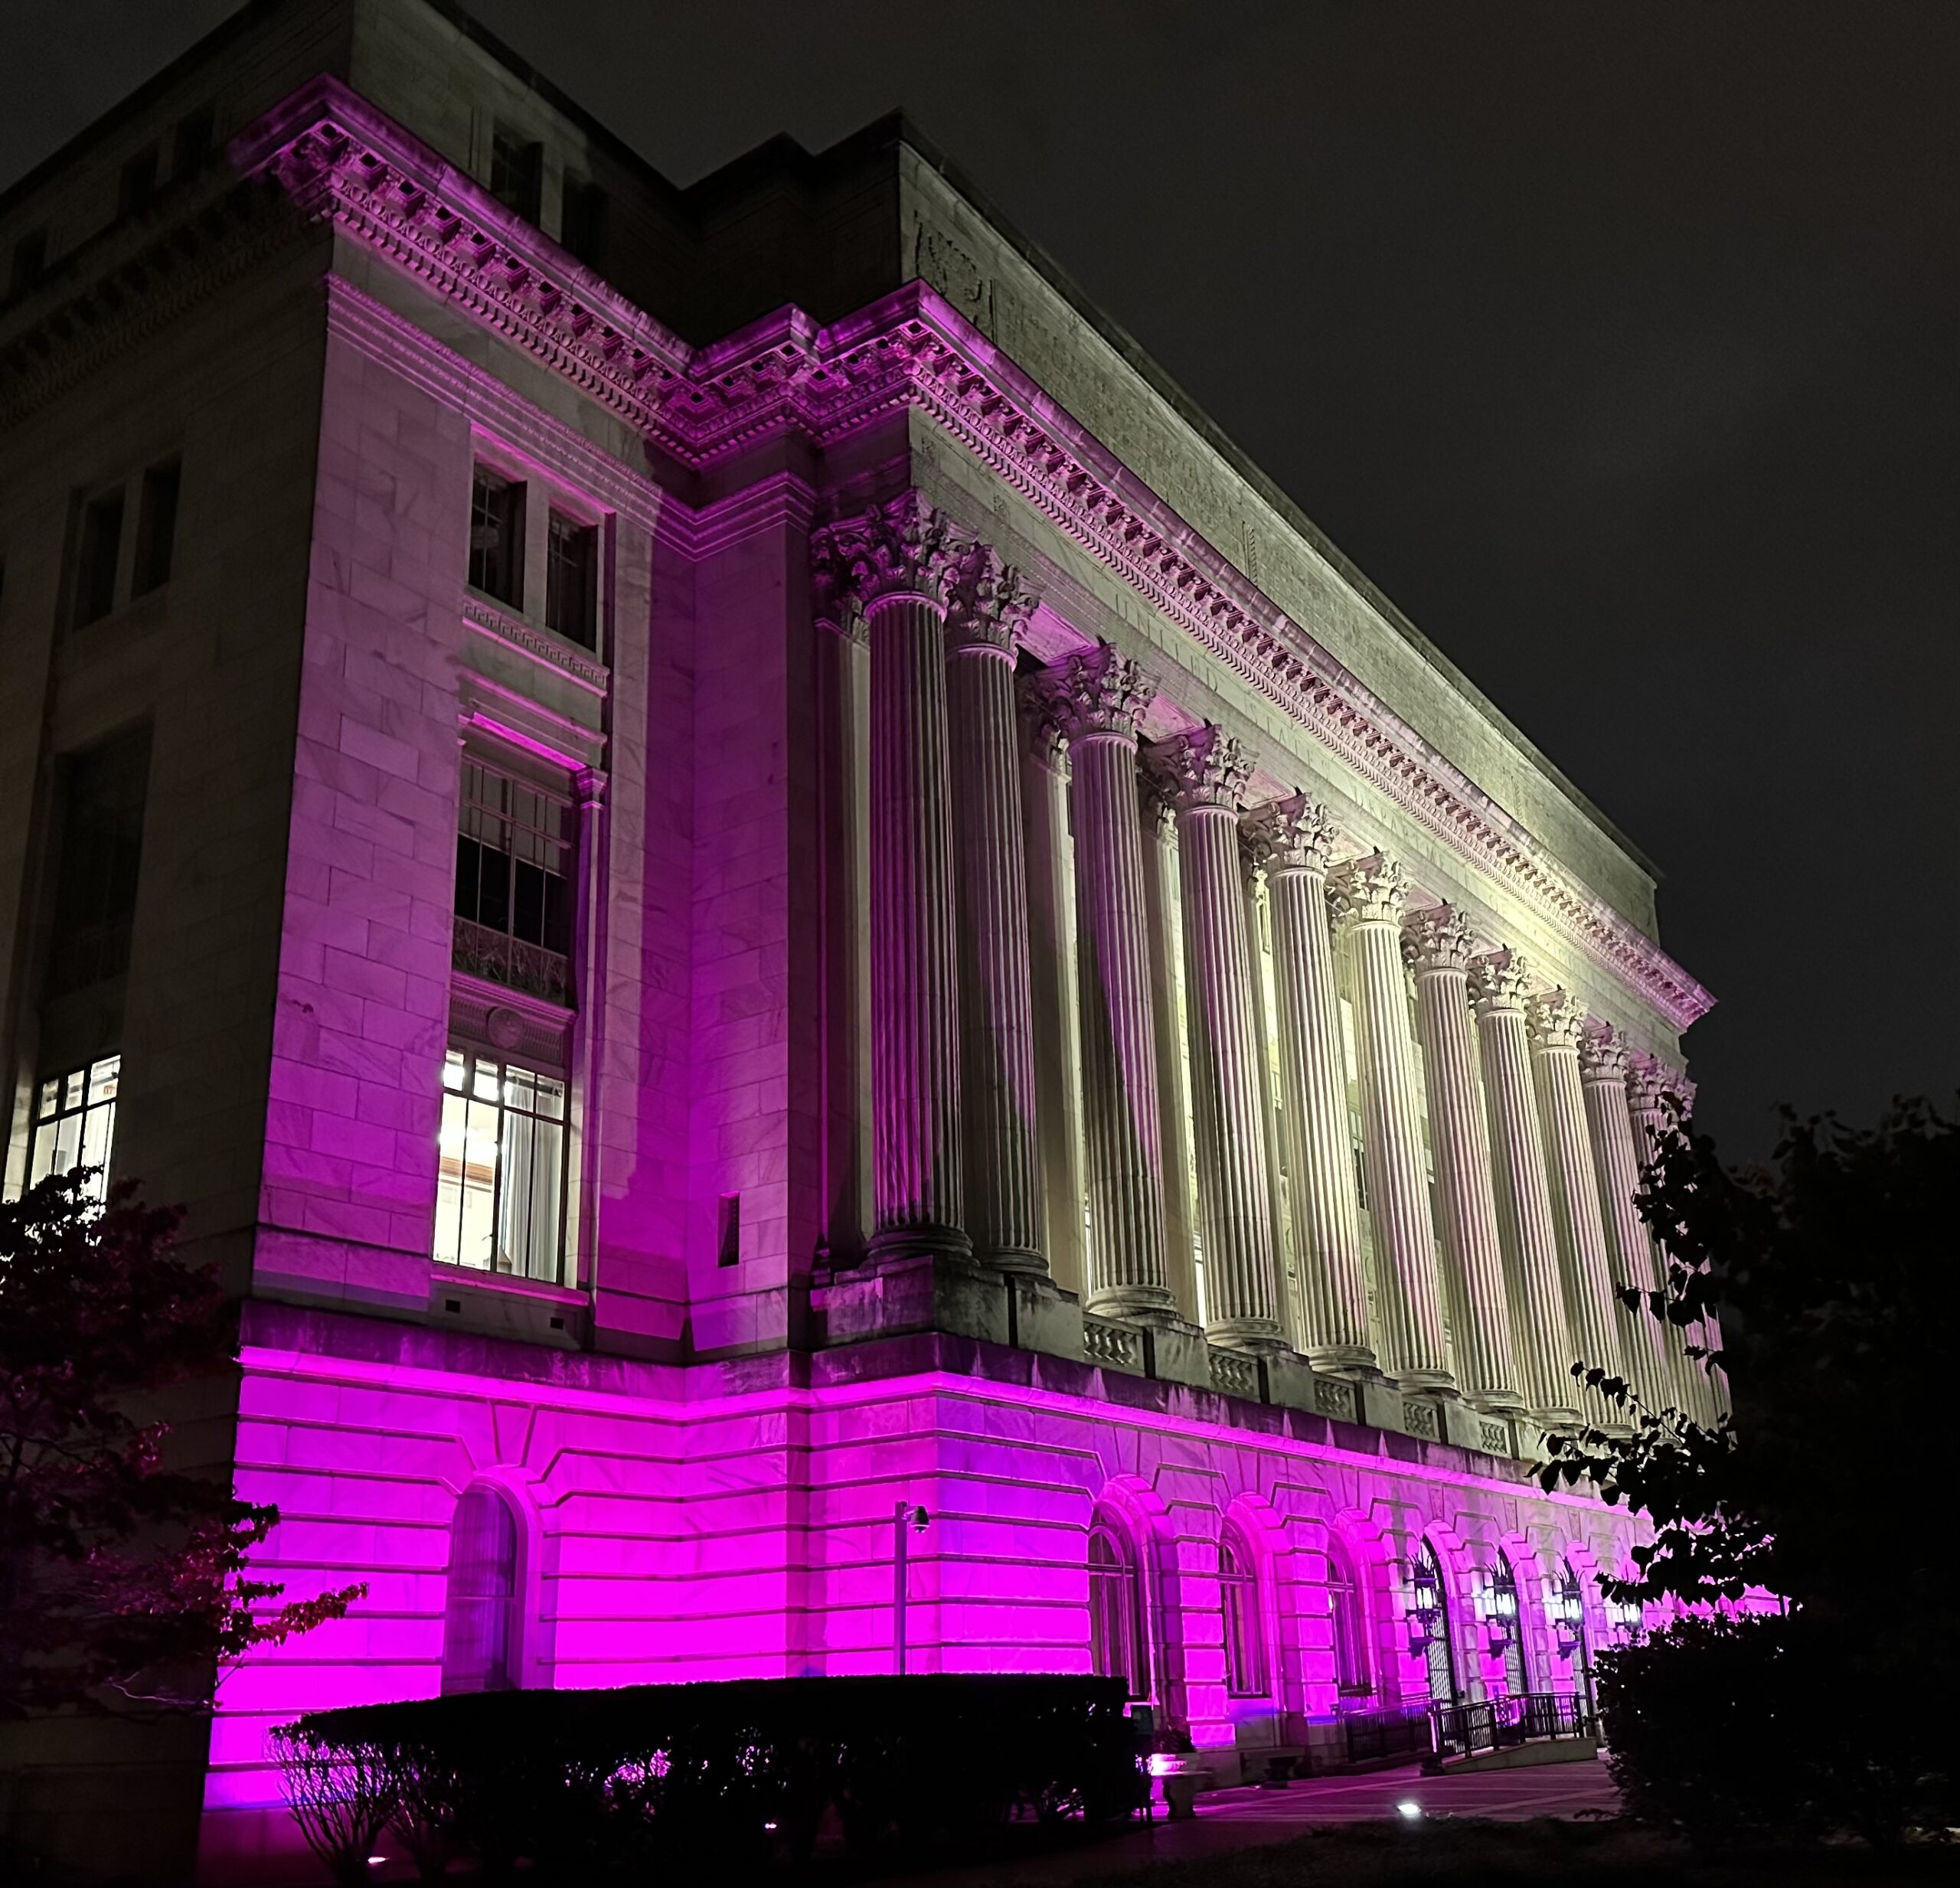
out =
column 1832, row 1279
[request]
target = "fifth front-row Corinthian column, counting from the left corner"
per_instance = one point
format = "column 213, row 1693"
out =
column 1295, row 844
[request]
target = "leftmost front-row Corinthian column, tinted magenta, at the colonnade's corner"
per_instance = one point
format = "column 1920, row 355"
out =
column 899, row 562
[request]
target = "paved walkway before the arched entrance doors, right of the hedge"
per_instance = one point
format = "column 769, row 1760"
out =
column 1244, row 1818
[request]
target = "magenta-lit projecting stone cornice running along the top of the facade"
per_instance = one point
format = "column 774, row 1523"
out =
column 346, row 164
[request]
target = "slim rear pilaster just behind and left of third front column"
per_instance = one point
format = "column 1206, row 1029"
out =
column 1052, row 919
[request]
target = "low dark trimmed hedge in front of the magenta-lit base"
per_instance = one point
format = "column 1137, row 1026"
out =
column 585, row 1785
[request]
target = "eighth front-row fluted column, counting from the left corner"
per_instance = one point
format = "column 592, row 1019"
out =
column 1542, row 1332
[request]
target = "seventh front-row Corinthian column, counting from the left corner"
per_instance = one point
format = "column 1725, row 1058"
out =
column 1459, row 1142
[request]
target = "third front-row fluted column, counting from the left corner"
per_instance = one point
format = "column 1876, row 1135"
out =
column 1101, row 699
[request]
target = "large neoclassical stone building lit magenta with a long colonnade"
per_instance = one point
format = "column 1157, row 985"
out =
column 750, row 881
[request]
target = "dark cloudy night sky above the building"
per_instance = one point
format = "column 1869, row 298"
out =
column 1618, row 342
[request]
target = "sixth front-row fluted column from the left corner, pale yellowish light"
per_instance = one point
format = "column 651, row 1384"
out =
column 1414, row 1348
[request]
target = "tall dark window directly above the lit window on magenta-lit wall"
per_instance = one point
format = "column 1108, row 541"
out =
column 514, row 883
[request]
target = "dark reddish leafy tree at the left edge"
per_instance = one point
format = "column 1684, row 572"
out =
column 121, row 1577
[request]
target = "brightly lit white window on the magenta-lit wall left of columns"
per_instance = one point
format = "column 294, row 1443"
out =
column 501, row 1171
